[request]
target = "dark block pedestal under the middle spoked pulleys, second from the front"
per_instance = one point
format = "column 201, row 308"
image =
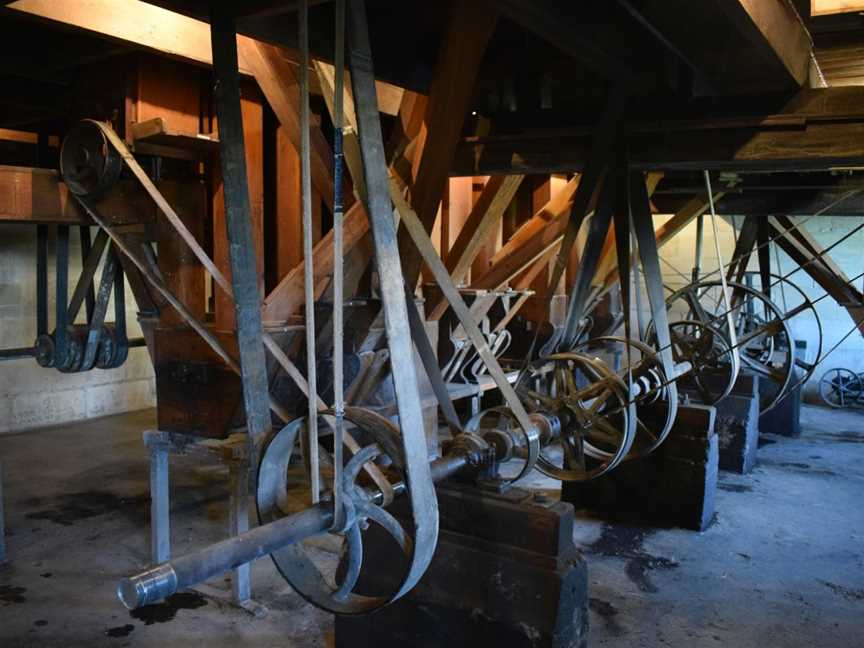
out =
column 675, row 486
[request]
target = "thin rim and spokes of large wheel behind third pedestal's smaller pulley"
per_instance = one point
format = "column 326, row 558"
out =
column 776, row 326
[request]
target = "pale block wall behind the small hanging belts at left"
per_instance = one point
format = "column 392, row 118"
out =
column 31, row 396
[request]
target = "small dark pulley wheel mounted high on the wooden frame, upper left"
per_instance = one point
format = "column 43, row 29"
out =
column 89, row 164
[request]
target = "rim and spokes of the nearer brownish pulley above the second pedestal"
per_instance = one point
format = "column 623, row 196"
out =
column 572, row 407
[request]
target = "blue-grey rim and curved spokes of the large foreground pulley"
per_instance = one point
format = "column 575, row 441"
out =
column 294, row 562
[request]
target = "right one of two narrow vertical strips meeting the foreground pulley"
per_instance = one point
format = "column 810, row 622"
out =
column 338, row 269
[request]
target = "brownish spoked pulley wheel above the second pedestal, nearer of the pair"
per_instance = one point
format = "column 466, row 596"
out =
column 591, row 402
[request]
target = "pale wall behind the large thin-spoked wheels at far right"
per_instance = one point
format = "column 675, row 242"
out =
column 836, row 321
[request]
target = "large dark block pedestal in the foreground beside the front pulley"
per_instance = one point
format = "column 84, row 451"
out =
column 505, row 573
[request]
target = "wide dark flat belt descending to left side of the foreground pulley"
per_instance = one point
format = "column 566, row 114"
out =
column 238, row 220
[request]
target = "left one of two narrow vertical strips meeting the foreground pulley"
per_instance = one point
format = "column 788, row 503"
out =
column 308, row 278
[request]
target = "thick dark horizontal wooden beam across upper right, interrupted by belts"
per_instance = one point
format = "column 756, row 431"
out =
column 818, row 129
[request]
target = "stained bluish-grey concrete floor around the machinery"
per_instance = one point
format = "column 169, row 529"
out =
column 783, row 564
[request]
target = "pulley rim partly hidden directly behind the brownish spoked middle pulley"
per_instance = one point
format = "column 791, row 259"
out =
column 668, row 389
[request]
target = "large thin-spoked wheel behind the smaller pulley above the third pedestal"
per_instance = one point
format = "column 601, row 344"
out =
column 764, row 341
